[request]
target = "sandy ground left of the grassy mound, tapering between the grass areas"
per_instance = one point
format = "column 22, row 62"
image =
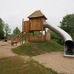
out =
column 5, row 50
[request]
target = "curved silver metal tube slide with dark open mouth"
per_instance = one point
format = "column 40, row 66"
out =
column 68, row 41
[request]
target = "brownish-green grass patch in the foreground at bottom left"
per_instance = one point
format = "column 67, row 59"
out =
column 16, row 65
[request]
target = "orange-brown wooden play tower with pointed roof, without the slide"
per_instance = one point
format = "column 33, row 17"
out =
column 33, row 28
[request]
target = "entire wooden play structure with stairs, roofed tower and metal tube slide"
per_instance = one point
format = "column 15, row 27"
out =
column 32, row 31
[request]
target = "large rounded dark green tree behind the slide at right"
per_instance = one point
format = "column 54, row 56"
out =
column 67, row 24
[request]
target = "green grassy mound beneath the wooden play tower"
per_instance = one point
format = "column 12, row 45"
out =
column 33, row 49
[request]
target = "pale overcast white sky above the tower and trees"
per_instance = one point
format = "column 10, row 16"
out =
column 12, row 11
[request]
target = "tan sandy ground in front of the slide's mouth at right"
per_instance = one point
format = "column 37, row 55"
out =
column 57, row 62
